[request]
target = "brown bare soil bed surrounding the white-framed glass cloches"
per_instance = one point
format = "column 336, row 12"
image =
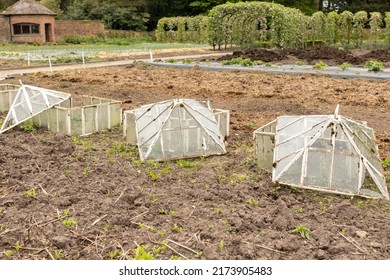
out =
column 221, row 208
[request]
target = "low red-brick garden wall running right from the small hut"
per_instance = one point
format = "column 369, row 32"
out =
column 77, row 27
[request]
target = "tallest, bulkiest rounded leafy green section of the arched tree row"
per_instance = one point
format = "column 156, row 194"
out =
column 245, row 22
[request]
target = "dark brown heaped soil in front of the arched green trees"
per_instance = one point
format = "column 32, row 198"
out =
column 311, row 55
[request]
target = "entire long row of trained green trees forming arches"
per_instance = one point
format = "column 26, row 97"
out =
column 247, row 24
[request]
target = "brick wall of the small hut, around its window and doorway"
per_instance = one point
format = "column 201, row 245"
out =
column 34, row 38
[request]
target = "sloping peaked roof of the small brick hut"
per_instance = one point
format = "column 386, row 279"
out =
column 27, row 7
